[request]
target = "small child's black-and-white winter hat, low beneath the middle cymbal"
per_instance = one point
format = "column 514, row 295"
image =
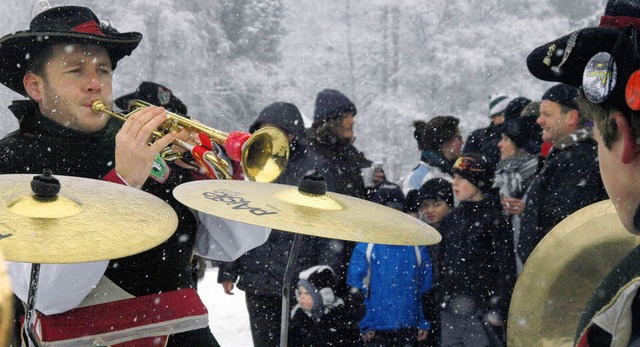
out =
column 320, row 282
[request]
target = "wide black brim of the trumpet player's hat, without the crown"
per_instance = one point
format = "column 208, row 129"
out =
column 16, row 50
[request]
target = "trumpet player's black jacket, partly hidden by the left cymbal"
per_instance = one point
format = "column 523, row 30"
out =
column 41, row 143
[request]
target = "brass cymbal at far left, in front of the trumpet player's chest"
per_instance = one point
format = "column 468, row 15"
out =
column 89, row 220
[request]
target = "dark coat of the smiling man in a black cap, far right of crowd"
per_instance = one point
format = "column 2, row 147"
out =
column 568, row 181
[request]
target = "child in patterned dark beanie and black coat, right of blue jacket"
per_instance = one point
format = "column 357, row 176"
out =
column 477, row 262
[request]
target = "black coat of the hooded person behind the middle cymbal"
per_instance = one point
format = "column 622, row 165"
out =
column 261, row 270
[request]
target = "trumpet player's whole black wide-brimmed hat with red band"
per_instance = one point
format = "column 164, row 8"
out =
column 65, row 24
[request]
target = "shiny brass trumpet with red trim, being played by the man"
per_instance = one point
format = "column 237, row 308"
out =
column 264, row 154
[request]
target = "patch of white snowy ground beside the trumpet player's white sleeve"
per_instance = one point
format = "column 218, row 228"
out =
column 228, row 317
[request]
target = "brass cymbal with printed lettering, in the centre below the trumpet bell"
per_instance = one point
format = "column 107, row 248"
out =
column 283, row 207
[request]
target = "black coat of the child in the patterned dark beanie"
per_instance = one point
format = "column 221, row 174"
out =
column 478, row 260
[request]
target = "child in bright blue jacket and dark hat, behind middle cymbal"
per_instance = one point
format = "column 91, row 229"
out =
column 393, row 280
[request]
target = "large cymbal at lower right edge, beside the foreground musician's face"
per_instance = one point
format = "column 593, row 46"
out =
column 562, row 274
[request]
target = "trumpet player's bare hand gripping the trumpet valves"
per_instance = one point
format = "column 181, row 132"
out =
column 135, row 152
